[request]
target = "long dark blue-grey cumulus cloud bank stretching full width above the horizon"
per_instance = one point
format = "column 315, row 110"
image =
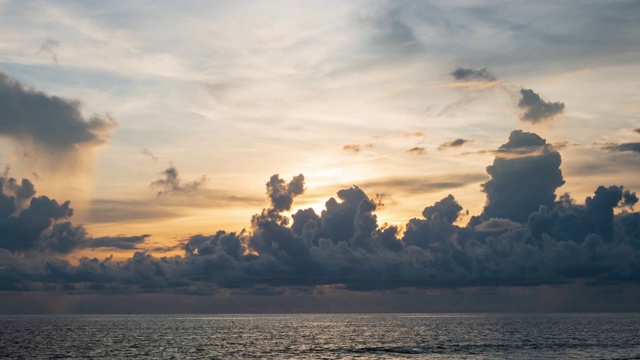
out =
column 540, row 240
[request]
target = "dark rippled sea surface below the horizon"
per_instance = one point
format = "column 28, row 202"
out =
column 330, row 336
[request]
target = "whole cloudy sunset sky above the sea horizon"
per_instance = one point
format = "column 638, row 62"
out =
column 319, row 156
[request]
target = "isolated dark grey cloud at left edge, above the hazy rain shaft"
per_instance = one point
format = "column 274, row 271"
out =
column 49, row 122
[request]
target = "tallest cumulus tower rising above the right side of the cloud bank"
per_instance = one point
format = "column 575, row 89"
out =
column 524, row 176
